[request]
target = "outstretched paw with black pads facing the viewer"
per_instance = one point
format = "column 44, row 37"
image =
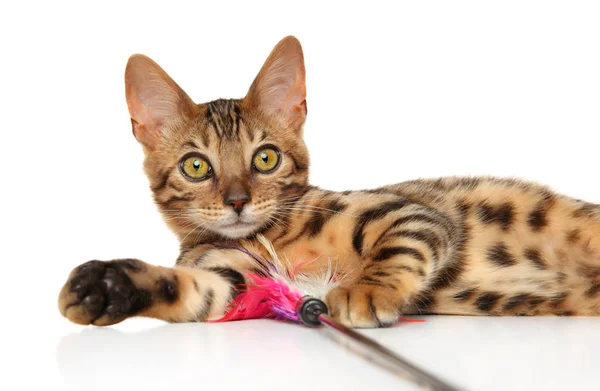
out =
column 102, row 293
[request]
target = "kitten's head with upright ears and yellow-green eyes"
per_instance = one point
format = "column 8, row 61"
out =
column 224, row 169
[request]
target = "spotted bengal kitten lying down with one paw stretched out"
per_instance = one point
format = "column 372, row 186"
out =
column 224, row 171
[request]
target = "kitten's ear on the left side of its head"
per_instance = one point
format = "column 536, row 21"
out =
column 153, row 98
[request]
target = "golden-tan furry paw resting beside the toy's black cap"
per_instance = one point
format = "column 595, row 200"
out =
column 365, row 306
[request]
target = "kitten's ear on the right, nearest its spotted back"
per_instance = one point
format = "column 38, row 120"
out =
column 280, row 89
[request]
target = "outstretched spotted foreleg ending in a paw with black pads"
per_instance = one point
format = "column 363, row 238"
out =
column 197, row 289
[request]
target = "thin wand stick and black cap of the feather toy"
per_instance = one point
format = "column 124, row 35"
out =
column 313, row 312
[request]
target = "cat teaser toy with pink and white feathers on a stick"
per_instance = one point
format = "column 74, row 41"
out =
column 278, row 291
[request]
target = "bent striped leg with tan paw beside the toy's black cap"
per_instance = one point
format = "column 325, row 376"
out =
column 400, row 252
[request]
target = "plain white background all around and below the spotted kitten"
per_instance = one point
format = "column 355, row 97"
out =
column 396, row 91
